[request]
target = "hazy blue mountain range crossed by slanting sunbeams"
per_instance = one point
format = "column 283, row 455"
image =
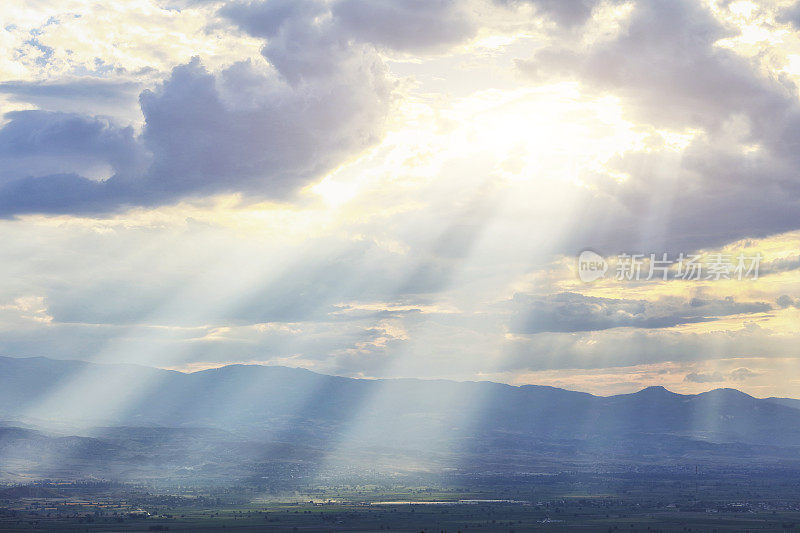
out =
column 247, row 414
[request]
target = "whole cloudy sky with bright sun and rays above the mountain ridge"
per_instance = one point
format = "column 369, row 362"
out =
column 375, row 188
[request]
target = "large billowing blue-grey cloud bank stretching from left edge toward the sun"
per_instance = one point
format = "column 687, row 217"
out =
column 246, row 129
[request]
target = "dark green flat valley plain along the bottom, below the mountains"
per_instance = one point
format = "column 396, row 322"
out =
column 575, row 506
